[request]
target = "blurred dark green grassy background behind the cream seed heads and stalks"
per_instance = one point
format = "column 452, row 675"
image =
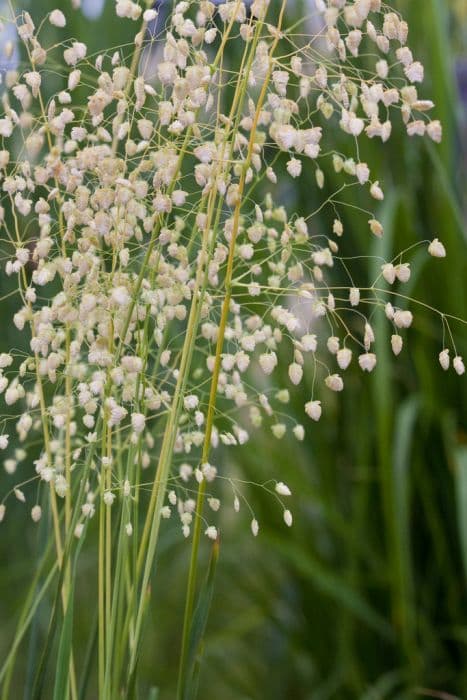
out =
column 365, row 597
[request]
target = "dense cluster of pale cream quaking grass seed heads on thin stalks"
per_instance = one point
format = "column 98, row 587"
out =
column 153, row 260
